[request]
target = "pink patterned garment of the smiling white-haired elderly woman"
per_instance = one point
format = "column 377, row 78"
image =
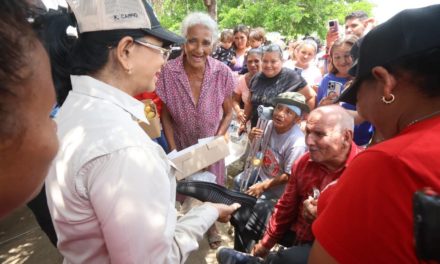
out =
column 190, row 121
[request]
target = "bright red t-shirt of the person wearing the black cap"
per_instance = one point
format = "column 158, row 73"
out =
column 369, row 218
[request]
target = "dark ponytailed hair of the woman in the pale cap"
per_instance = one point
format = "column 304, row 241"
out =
column 83, row 55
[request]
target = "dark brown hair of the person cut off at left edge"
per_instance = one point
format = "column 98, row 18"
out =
column 17, row 42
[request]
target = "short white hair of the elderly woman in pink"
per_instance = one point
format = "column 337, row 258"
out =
column 199, row 18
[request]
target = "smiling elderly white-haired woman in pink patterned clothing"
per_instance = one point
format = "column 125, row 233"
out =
column 197, row 94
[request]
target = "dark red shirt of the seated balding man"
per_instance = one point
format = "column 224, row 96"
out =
column 306, row 175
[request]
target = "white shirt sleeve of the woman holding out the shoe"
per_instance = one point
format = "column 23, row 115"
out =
column 133, row 198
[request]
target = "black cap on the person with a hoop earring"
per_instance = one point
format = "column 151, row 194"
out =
column 408, row 32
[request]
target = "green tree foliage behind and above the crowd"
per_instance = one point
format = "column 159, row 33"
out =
column 291, row 18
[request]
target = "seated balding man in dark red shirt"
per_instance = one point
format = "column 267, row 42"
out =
column 329, row 137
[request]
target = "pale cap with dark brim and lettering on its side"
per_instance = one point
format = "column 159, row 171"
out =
column 99, row 15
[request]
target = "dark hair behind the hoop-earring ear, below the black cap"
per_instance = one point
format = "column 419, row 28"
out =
column 424, row 68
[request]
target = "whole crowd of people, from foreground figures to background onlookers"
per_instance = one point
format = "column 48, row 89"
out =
column 351, row 138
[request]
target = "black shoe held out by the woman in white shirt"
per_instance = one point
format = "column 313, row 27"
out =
column 211, row 192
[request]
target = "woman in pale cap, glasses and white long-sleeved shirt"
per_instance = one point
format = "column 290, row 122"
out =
column 110, row 189
